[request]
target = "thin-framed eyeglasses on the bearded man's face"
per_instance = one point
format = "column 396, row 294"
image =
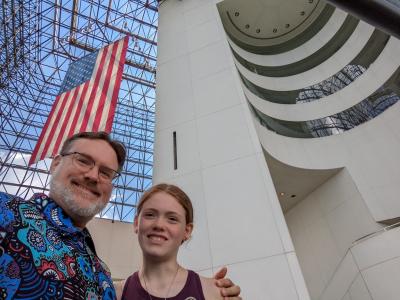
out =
column 86, row 163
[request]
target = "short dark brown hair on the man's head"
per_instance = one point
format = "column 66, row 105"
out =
column 117, row 146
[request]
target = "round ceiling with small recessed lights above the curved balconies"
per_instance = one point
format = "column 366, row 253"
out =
column 268, row 23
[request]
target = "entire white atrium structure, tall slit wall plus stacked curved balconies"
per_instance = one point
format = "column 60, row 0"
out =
column 324, row 100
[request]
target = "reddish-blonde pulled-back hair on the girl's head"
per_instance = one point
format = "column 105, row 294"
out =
column 173, row 191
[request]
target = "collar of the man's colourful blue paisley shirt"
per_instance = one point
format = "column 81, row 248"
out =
column 54, row 213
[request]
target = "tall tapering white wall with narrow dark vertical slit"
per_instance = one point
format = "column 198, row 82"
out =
column 238, row 219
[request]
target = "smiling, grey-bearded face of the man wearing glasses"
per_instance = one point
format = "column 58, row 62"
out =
column 80, row 193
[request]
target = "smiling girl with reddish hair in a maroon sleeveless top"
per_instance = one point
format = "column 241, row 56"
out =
column 164, row 220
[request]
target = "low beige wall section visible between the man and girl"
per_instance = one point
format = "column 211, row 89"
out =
column 116, row 244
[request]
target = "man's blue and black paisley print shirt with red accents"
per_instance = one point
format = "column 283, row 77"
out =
column 44, row 256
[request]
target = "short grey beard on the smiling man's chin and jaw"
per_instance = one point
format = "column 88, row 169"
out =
column 66, row 195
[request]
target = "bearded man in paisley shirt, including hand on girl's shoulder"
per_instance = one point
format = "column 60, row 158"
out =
column 46, row 252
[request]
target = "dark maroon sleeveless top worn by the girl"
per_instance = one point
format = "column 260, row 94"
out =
column 192, row 290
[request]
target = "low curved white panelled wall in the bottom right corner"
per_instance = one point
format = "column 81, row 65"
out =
column 370, row 270
